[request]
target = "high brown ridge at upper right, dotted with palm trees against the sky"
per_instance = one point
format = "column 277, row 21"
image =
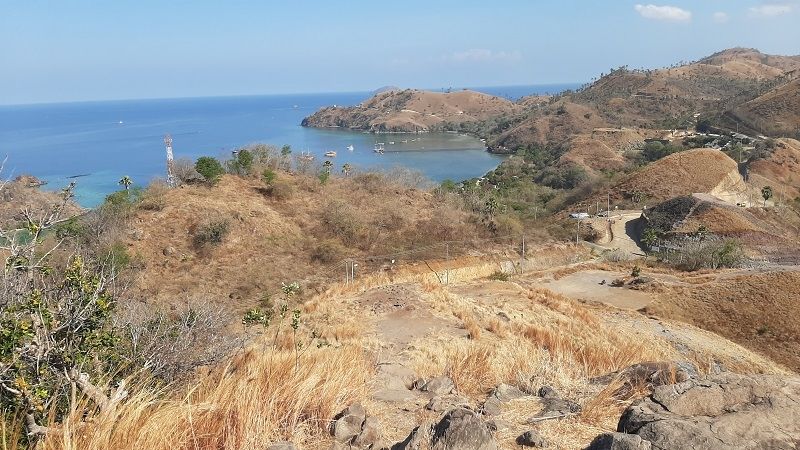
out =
column 667, row 99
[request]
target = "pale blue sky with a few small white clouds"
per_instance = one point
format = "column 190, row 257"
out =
column 82, row 50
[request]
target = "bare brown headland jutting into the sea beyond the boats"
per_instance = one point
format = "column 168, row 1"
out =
column 412, row 110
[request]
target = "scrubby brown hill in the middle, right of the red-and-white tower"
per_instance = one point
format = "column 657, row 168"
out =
column 302, row 232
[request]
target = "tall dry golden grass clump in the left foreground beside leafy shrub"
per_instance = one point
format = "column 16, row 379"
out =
column 260, row 397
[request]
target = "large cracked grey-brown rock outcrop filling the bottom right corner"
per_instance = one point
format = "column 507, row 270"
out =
column 724, row 412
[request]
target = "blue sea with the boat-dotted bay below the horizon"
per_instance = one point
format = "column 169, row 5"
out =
column 96, row 143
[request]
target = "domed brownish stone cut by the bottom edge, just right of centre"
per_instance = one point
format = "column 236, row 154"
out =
column 462, row 429
